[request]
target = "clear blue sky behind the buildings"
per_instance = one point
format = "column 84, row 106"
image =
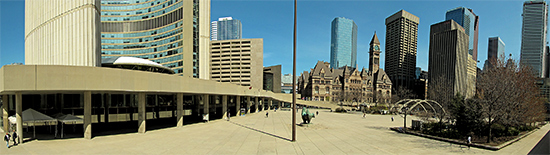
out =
column 272, row 20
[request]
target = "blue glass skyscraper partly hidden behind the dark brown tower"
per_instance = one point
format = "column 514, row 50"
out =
column 470, row 22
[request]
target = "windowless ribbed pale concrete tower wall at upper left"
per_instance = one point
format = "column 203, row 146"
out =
column 68, row 35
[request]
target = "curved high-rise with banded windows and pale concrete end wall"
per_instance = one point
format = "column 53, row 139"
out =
column 172, row 33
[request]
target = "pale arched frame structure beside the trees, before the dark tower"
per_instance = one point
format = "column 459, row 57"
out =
column 412, row 103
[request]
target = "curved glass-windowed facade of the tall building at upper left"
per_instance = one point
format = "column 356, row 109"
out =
column 148, row 29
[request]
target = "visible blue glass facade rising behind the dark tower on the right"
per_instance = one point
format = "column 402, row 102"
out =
column 465, row 18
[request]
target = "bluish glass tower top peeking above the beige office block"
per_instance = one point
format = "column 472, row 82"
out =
column 226, row 28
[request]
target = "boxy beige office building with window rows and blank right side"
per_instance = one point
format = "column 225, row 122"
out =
column 239, row 61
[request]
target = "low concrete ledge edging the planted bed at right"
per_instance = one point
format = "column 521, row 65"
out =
column 488, row 147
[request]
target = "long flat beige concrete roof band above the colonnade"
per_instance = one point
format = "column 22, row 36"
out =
column 44, row 79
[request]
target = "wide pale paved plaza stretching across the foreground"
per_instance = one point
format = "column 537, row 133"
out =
column 329, row 133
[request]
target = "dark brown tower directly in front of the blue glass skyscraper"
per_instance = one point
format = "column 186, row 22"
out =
column 448, row 57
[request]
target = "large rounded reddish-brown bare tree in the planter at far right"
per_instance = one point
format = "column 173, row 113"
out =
column 507, row 95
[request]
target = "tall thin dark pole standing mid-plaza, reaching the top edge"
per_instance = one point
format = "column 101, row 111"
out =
column 294, row 80
